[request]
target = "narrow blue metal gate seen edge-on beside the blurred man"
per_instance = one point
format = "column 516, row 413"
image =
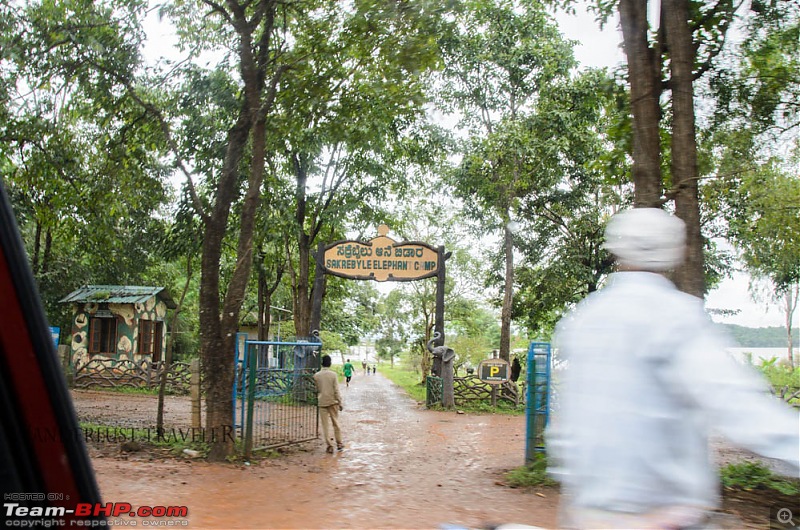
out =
column 537, row 400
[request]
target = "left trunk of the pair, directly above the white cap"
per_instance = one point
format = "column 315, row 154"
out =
column 645, row 81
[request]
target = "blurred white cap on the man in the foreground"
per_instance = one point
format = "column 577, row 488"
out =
column 646, row 239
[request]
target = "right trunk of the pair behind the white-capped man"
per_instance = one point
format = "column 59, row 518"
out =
column 690, row 276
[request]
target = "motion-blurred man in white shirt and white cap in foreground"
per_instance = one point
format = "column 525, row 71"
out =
column 646, row 377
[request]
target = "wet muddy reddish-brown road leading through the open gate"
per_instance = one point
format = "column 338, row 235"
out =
column 404, row 467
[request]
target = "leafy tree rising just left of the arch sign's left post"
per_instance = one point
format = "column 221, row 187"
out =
column 350, row 120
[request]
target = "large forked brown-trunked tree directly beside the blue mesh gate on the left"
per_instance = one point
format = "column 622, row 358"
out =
column 259, row 43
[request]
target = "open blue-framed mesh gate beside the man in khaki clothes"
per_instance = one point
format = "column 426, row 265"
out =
column 275, row 399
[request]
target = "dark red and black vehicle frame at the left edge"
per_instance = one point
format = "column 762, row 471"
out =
column 43, row 460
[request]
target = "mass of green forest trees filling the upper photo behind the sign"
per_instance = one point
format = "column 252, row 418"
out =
column 467, row 124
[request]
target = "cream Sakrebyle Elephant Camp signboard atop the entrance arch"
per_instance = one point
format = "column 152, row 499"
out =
column 381, row 259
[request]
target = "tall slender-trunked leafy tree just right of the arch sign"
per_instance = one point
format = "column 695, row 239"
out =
column 501, row 56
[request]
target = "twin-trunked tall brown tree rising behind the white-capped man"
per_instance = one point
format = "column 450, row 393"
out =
column 670, row 54
